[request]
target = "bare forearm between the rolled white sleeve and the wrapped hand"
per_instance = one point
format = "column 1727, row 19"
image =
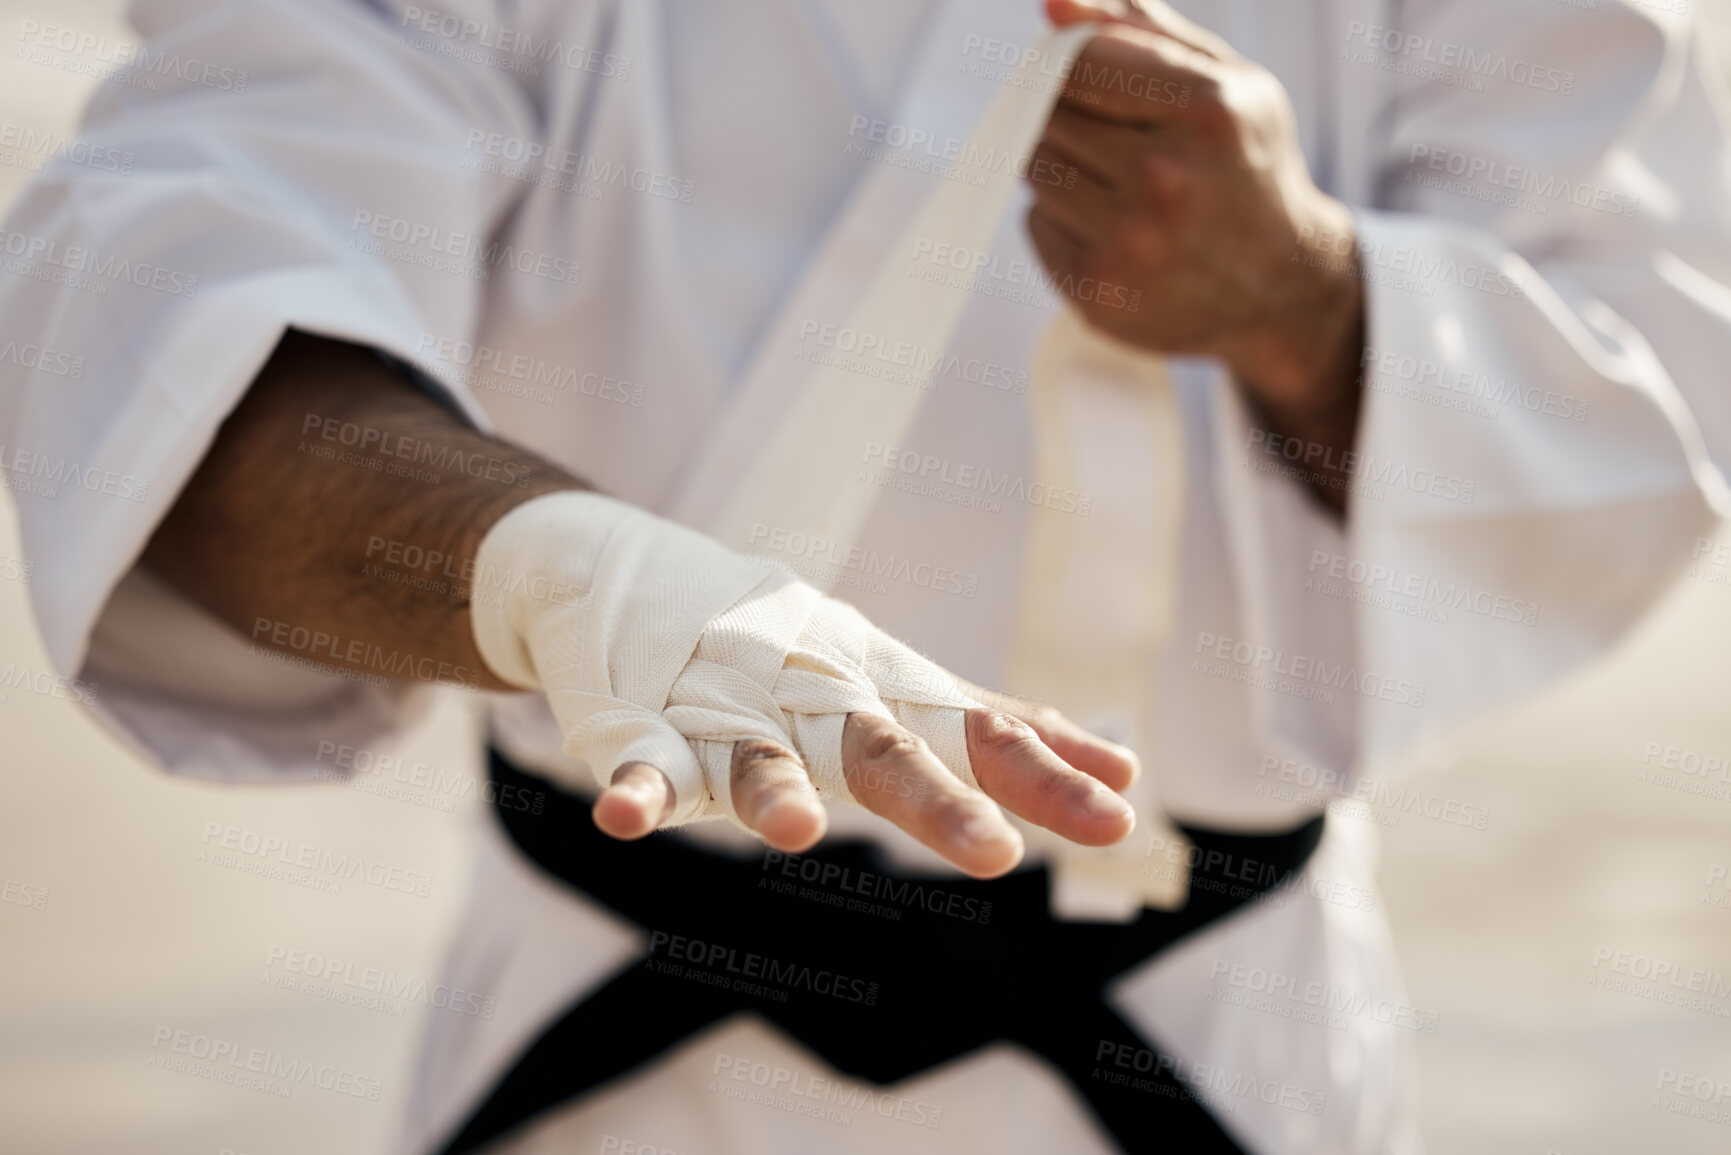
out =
column 342, row 501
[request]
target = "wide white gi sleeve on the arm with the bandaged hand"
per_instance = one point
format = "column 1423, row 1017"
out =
column 281, row 164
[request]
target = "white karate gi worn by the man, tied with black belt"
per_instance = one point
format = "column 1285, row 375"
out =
column 690, row 160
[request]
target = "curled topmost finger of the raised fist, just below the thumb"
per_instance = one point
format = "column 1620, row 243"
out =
column 1136, row 77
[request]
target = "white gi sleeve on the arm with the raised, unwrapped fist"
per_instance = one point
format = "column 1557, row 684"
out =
column 1547, row 255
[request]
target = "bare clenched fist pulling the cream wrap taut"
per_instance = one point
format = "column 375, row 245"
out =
column 1192, row 191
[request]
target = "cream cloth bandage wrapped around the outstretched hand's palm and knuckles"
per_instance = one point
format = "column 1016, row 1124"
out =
column 657, row 645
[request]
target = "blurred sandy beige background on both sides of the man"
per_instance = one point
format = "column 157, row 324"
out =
column 115, row 922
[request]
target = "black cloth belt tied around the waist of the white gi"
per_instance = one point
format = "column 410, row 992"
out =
column 878, row 972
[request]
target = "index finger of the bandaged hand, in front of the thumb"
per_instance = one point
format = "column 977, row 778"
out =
column 1020, row 771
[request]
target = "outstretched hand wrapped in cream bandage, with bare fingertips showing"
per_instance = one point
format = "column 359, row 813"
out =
column 697, row 683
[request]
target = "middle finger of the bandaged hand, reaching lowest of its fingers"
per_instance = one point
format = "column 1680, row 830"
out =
column 894, row 775
